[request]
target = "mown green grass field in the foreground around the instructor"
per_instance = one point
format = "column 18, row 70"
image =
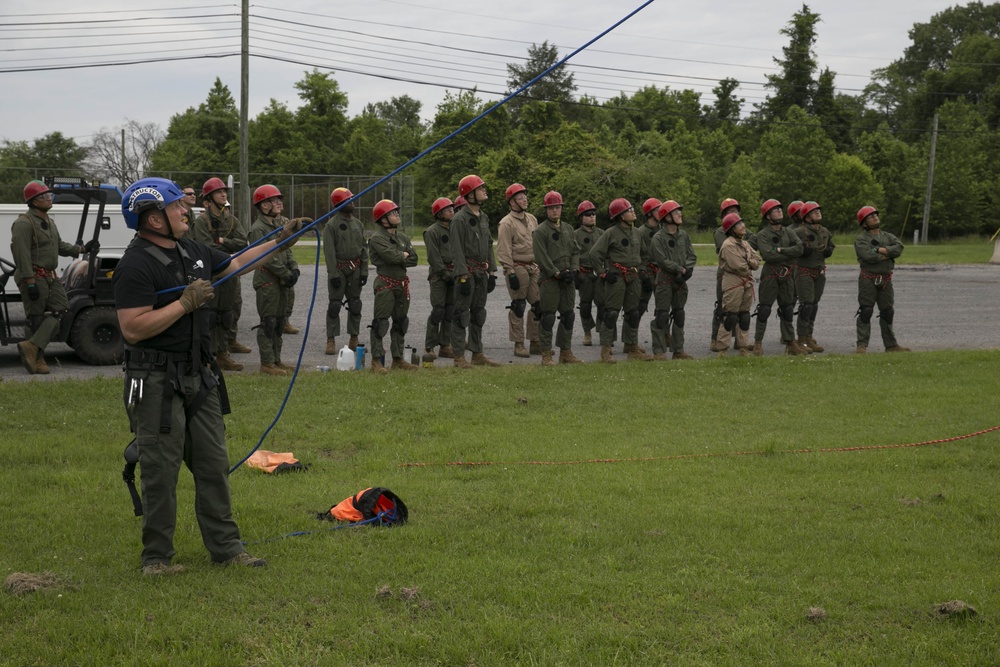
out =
column 690, row 516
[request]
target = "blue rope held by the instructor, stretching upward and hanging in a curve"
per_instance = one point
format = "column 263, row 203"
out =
column 374, row 185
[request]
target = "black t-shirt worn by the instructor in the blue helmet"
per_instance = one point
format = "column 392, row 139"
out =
column 142, row 273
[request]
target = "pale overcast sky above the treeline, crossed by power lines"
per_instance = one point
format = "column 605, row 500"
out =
column 680, row 44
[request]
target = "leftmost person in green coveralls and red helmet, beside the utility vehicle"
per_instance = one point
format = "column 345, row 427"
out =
column 36, row 246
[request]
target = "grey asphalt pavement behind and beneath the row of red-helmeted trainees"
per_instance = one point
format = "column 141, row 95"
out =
column 937, row 307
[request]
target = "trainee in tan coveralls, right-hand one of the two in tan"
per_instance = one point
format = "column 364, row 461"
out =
column 737, row 261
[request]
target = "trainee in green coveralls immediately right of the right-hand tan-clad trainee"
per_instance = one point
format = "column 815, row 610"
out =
column 778, row 247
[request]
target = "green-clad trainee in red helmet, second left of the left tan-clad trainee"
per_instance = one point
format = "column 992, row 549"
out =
column 441, row 276
